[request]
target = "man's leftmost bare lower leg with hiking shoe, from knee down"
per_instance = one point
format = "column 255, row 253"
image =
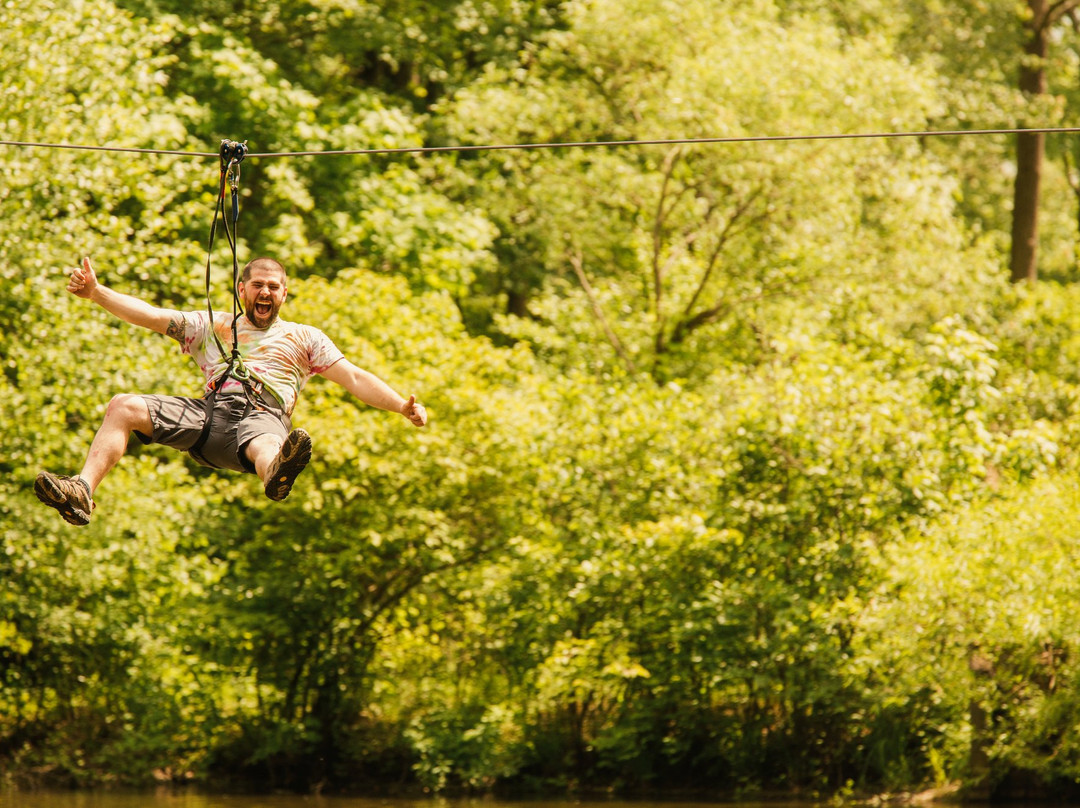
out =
column 74, row 497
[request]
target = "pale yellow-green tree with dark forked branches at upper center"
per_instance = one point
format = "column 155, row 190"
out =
column 665, row 250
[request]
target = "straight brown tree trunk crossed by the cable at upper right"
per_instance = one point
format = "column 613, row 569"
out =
column 1030, row 152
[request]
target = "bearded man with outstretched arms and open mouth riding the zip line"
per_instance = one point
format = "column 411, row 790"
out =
column 249, row 424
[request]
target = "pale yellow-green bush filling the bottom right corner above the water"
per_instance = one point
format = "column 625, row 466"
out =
column 982, row 645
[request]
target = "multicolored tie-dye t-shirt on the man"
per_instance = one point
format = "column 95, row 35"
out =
column 282, row 358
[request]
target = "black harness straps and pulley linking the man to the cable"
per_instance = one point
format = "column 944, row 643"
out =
column 232, row 154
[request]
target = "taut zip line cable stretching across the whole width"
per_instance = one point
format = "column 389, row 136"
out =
column 569, row 145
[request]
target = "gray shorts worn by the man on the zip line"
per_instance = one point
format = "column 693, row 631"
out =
column 179, row 422
